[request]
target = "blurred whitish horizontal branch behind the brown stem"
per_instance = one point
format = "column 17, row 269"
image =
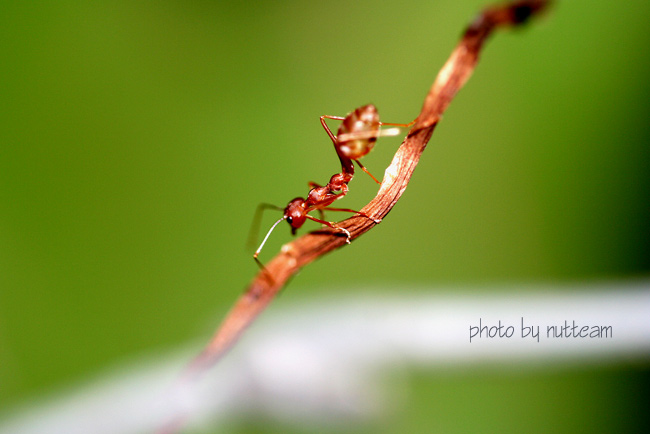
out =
column 318, row 360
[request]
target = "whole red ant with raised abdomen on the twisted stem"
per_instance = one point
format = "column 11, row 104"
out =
column 356, row 137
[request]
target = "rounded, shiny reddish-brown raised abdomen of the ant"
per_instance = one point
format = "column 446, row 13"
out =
column 365, row 122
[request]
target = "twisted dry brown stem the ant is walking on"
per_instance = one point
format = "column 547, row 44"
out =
column 311, row 246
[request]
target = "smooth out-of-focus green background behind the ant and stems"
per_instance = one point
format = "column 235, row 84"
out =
column 137, row 139
